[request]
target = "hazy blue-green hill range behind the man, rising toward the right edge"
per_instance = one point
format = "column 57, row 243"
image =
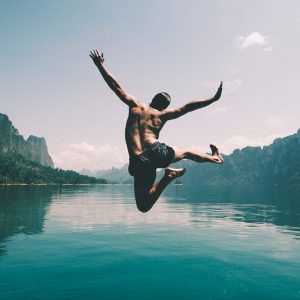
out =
column 278, row 163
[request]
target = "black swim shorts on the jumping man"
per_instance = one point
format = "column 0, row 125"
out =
column 143, row 166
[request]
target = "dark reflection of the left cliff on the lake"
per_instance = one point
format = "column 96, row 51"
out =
column 23, row 210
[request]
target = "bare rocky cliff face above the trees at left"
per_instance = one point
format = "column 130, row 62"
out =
column 34, row 148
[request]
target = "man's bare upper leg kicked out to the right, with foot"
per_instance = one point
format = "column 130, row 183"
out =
column 214, row 157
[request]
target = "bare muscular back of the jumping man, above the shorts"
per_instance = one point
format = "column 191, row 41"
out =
column 142, row 128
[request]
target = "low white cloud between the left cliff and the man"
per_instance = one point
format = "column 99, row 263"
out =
column 77, row 156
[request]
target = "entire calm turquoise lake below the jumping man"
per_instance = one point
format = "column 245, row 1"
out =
column 90, row 242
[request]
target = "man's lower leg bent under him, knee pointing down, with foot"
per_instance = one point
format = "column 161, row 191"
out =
column 146, row 197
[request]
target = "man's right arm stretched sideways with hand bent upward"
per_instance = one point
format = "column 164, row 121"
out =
column 170, row 114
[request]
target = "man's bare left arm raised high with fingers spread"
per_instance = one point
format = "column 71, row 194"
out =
column 111, row 80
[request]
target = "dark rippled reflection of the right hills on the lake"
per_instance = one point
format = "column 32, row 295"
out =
column 278, row 205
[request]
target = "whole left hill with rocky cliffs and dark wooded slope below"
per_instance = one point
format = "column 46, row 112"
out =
column 28, row 161
